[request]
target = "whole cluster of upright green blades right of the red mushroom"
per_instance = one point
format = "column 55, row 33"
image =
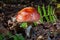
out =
column 48, row 14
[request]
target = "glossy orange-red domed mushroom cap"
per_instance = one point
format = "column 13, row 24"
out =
column 28, row 14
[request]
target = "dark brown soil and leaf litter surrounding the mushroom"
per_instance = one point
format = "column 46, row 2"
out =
column 46, row 31
